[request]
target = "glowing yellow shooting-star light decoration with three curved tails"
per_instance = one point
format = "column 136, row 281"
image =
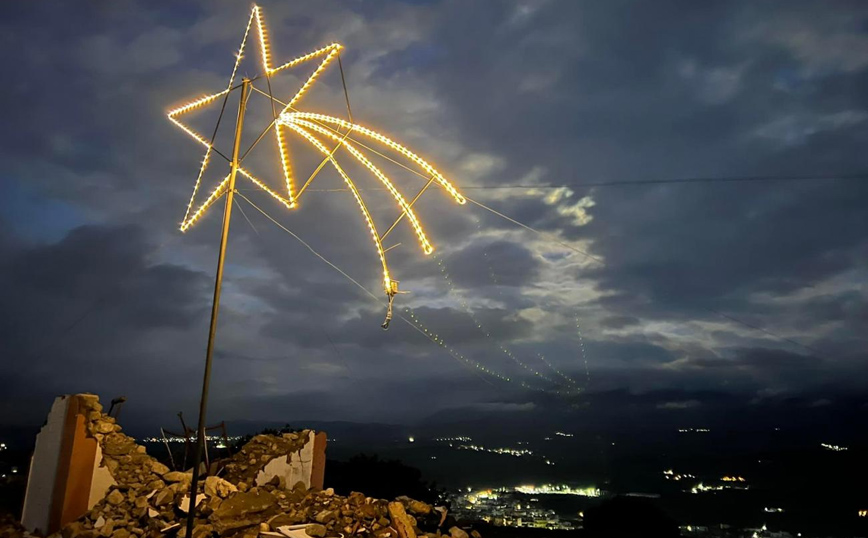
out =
column 314, row 129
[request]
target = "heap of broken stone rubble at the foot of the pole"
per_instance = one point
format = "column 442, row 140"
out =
column 149, row 500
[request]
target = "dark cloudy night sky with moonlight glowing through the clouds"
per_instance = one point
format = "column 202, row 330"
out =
column 753, row 289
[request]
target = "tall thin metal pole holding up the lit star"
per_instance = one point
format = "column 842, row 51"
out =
column 215, row 307
